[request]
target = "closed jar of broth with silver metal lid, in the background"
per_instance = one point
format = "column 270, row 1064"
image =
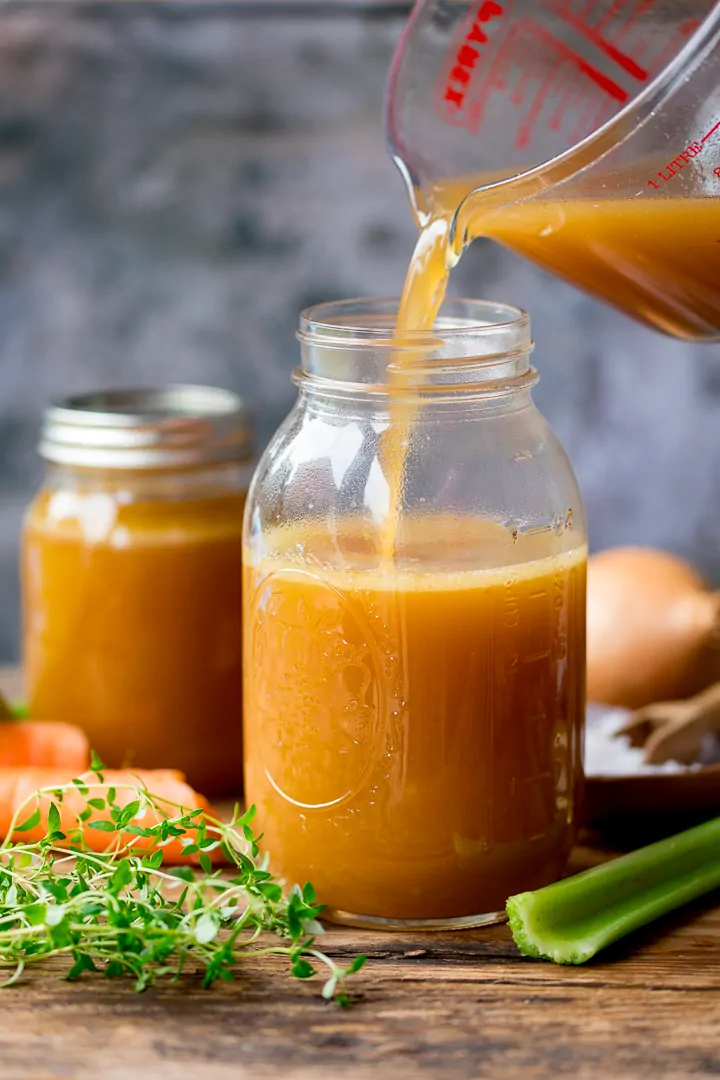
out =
column 132, row 576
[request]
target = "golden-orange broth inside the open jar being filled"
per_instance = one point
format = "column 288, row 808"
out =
column 414, row 739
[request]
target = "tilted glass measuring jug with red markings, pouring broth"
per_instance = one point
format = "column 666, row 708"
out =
column 583, row 134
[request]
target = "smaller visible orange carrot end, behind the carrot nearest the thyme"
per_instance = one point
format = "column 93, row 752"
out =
column 39, row 745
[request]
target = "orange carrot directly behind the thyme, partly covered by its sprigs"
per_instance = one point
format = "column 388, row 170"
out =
column 17, row 786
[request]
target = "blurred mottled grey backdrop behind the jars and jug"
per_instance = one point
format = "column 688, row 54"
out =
column 178, row 181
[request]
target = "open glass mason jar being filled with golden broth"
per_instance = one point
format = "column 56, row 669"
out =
column 415, row 623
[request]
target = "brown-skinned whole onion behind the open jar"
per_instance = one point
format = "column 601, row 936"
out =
column 654, row 629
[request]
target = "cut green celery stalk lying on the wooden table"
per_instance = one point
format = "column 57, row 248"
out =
column 574, row 920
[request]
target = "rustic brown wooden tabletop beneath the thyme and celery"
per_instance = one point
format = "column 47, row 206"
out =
column 432, row 1006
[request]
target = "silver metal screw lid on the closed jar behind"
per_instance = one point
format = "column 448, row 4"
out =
column 170, row 428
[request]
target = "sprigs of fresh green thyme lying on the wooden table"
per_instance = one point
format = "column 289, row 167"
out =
column 125, row 913
